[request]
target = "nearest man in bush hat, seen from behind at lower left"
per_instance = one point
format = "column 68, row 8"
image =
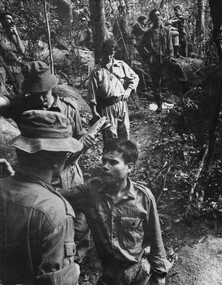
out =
column 37, row 237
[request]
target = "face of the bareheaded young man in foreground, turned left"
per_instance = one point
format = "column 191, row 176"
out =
column 115, row 169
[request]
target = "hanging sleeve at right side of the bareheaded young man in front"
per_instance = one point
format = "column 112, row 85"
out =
column 159, row 264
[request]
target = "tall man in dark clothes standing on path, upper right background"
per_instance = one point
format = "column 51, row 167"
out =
column 157, row 50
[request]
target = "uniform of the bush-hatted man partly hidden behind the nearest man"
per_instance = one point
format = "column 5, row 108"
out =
column 72, row 174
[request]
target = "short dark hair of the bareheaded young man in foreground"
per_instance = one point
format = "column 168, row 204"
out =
column 126, row 147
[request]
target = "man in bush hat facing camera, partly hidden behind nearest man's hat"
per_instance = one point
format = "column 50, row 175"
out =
column 38, row 85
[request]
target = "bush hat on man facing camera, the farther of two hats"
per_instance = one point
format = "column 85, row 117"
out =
column 38, row 78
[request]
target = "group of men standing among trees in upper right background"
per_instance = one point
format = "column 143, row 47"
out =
column 159, row 45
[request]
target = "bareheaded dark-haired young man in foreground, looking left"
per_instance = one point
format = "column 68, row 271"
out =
column 123, row 220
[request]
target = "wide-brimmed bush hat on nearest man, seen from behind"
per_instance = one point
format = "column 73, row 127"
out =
column 45, row 130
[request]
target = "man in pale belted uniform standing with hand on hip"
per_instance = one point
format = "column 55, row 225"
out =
column 110, row 86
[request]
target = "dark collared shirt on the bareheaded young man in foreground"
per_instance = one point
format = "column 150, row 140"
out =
column 122, row 229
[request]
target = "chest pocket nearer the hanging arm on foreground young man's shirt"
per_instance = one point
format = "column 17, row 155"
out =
column 131, row 233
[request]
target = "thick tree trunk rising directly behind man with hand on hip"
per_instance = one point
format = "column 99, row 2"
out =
column 97, row 12
